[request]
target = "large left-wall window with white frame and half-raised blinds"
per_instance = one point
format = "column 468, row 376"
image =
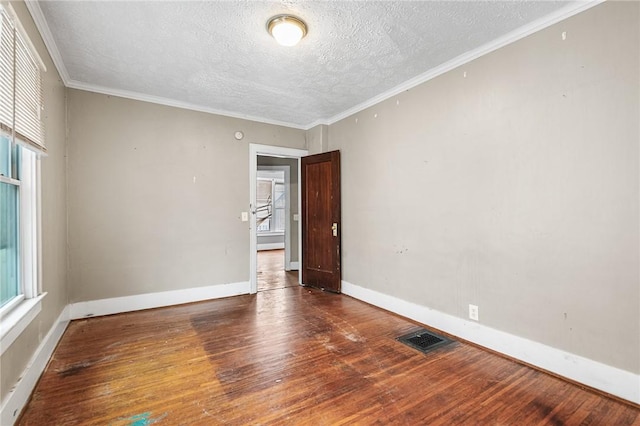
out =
column 21, row 146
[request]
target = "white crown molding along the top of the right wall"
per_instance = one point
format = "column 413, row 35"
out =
column 561, row 14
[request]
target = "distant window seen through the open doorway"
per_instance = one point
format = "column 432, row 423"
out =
column 271, row 203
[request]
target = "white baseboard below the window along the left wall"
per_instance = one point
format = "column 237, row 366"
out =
column 17, row 398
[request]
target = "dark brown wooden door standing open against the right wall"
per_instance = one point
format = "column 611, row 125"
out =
column 320, row 180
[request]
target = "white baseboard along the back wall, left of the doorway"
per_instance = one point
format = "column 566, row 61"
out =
column 138, row 302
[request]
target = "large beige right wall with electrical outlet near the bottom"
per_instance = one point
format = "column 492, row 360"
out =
column 515, row 189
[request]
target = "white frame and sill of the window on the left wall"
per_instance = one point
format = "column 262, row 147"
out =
column 17, row 314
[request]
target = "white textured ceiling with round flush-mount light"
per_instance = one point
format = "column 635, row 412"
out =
column 217, row 55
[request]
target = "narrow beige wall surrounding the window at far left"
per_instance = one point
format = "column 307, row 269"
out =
column 54, row 258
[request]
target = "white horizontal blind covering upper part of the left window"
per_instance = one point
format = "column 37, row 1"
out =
column 20, row 88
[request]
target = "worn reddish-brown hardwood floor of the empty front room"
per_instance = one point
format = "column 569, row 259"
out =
column 292, row 356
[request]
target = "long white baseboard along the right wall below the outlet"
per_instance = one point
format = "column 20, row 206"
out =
column 612, row 380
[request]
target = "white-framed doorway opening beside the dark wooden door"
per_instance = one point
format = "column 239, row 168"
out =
column 275, row 246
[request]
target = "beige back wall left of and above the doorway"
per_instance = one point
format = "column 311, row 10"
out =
column 155, row 196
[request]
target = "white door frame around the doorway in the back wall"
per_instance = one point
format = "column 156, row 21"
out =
column 268, row 151
